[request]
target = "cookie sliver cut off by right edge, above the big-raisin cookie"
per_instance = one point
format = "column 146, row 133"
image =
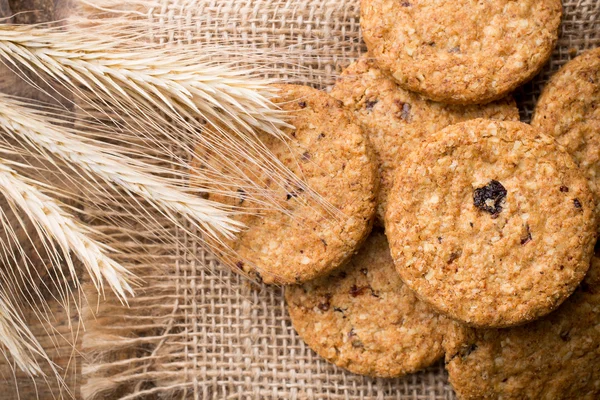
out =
column 569, row 110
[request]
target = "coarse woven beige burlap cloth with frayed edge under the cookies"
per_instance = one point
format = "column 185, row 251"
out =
column 196, row 330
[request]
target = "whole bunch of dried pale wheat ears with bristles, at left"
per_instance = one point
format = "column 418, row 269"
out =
column 133, row 114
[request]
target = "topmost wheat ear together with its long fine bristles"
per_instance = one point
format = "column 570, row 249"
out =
column 178, row 94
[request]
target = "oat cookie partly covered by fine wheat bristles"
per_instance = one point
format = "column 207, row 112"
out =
column 305, row 239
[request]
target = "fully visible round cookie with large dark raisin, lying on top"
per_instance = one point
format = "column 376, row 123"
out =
column 491, row 222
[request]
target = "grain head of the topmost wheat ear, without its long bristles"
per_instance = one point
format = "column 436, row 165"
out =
column 177, row 82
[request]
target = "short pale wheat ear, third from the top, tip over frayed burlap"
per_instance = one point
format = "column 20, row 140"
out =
column 71, row 236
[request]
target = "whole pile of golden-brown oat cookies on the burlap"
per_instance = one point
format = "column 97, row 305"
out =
column 485, row 227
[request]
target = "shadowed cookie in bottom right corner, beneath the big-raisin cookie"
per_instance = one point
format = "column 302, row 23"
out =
column 554, row 358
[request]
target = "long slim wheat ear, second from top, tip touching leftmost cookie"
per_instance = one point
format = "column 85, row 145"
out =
column 23, row 123
